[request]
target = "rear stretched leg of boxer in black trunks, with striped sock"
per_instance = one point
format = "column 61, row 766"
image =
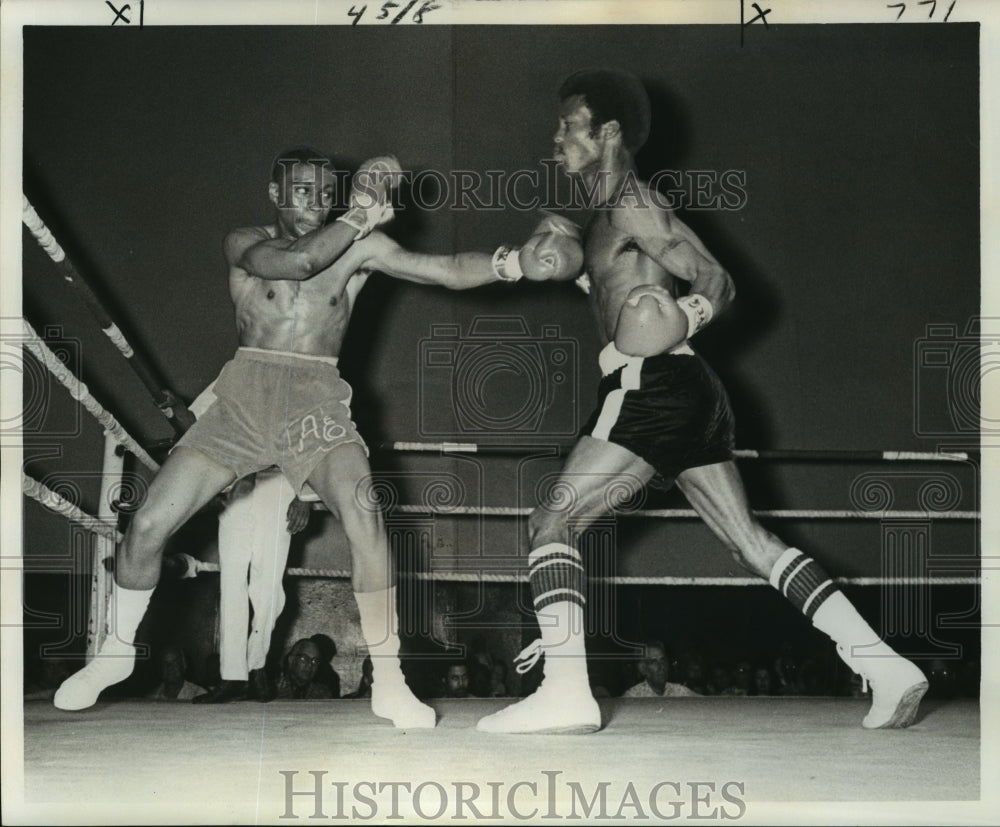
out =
column 716, row 493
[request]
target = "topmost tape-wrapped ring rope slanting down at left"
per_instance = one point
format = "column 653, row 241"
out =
column 172, row 408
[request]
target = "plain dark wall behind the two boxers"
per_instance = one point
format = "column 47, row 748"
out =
column 860, row 148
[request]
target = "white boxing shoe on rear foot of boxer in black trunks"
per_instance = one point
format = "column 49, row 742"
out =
column 897, row 686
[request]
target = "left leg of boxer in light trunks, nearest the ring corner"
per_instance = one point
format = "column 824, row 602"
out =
column 185, row 482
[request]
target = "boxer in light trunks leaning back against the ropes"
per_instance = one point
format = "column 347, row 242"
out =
column 281, row 402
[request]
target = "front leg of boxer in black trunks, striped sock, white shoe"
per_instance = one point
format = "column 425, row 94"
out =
column 597, row 477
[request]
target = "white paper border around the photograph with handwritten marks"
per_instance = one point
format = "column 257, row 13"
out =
column 14, row 14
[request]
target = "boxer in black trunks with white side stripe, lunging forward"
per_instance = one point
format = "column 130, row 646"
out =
column 662, row 410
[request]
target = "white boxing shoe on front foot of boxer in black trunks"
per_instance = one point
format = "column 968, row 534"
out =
column 553, row 709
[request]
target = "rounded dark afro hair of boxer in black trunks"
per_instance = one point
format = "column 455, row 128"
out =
column 613, row 95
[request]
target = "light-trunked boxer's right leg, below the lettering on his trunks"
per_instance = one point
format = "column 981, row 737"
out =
column 340, row 480
